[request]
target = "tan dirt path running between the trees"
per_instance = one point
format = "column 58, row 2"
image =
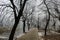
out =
column 31, row 35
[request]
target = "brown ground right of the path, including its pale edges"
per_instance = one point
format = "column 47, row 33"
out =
column 51, row 36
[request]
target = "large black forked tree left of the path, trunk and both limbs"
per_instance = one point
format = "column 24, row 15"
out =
column 17, row 18
